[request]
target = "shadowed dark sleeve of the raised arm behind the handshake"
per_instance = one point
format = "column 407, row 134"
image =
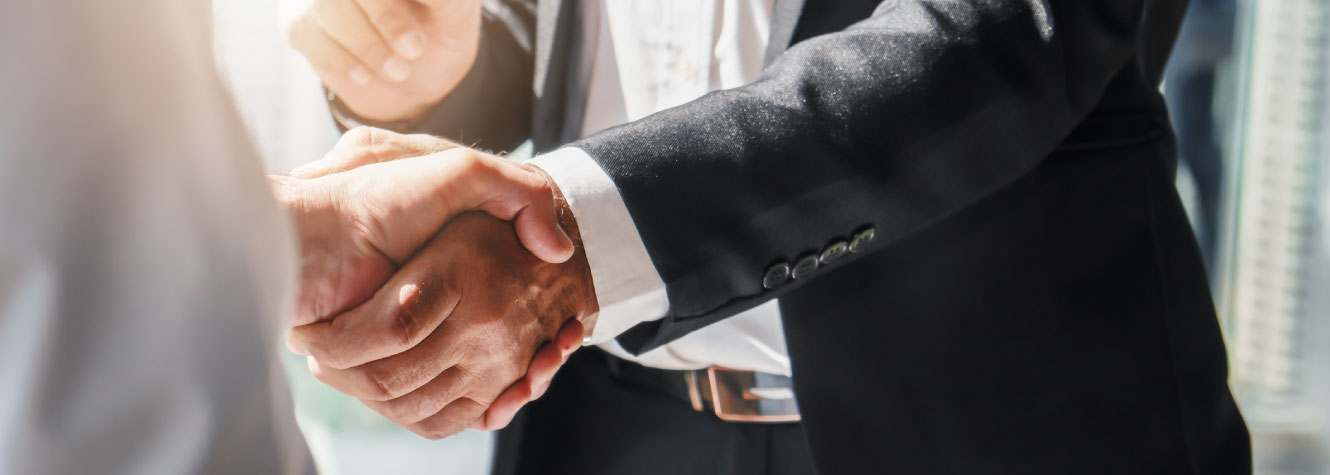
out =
column 491, row 107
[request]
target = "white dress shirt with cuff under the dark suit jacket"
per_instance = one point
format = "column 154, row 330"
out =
column 648, row 57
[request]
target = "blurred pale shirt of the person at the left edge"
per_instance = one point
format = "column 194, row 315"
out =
column 144, row 264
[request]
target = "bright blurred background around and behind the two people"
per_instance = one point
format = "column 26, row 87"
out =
column 1250, row 91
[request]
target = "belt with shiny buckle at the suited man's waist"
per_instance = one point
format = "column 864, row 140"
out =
column 733, row 396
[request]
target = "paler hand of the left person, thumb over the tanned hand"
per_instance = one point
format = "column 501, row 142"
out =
column 364, row 211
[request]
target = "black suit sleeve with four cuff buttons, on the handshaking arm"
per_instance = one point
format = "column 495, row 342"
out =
column 892, row 124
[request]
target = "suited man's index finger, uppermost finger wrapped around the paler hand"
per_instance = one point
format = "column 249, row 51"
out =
column 398, row 317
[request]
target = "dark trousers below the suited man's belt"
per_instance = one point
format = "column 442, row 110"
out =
column 593, row 422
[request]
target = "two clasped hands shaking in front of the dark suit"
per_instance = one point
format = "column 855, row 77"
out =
column 440, row 285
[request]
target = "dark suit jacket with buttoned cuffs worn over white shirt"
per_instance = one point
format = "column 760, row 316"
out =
column 1034, row 301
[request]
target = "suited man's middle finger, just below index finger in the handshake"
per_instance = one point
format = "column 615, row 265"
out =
column 401, row 376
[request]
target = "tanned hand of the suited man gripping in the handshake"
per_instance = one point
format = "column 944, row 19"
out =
column 456, row 328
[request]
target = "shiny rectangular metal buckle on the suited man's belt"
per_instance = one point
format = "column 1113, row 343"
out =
column 737, row 396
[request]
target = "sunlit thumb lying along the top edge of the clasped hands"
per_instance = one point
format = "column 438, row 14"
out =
column 366, row 146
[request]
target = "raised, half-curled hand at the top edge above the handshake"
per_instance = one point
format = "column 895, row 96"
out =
column 388, row 61
